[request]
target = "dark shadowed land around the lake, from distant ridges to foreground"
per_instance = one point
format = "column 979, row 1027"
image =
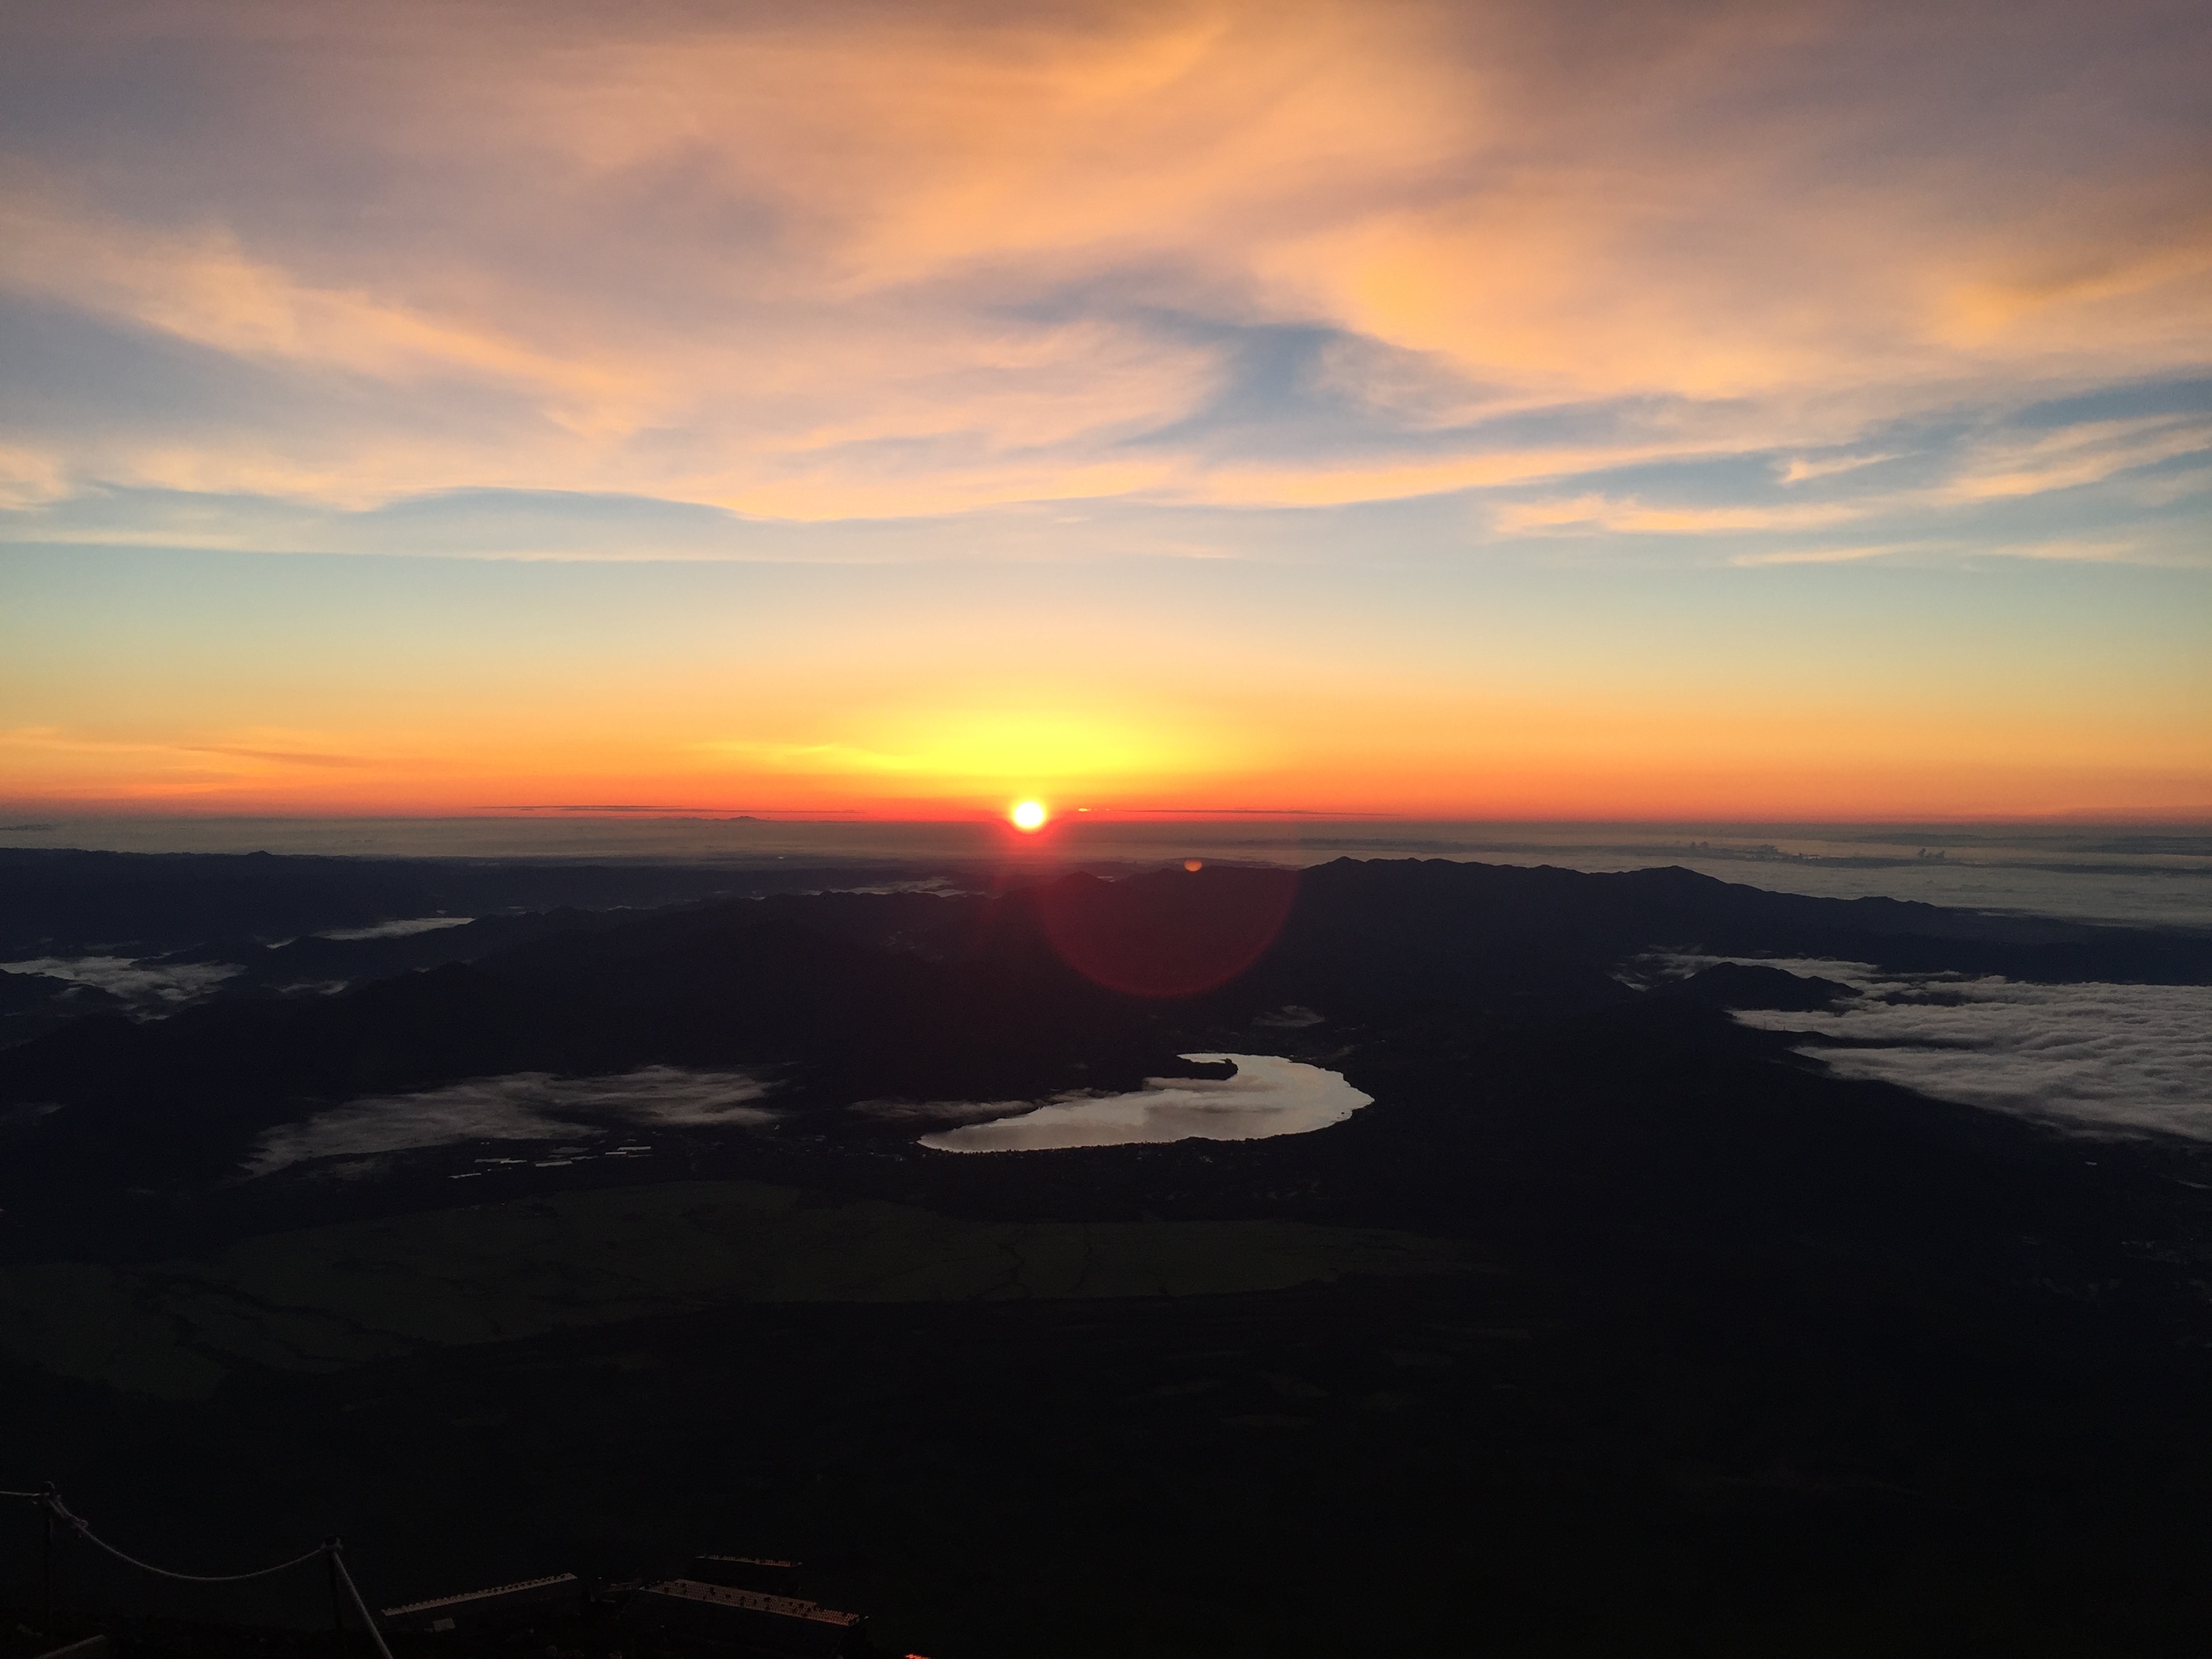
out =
column 1611, row 1326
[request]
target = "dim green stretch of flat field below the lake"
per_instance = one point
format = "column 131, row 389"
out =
column 324, row 1300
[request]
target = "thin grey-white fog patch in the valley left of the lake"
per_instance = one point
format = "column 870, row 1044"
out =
column 521, row 1107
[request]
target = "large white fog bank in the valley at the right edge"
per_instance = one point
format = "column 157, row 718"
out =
column 2120, row 1058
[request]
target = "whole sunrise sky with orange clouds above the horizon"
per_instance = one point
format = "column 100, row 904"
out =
column 1788, row 410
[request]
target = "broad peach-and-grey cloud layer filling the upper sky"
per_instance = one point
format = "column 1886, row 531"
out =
column 862, row 262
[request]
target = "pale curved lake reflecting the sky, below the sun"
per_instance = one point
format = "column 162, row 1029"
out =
column 1269, row 1096
